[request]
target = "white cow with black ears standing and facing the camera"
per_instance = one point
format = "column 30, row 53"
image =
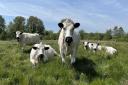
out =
column 68, row 39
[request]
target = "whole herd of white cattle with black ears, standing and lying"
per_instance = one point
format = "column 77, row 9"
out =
column 68, row 42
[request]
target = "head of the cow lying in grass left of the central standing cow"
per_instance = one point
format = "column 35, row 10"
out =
column 39, row 51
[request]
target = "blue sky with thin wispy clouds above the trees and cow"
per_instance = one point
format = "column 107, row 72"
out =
column 94, row 15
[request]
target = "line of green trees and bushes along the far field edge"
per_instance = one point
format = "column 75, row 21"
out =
column 34, row 24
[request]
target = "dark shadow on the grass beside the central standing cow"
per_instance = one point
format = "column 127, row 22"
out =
column 86, row 66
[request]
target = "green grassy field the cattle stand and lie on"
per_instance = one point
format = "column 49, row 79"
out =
column 89, row 69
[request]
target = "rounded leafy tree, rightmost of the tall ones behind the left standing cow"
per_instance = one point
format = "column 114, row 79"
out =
column 34, row 24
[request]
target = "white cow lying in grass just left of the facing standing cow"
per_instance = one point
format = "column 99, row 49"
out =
column 41, row 52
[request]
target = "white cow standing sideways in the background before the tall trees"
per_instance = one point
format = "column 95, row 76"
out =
column 27, row 38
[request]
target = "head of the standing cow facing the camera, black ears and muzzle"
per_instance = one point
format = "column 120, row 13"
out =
column 68, row 26
